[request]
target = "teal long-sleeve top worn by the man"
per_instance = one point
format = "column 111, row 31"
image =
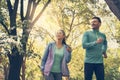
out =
column 94, row 51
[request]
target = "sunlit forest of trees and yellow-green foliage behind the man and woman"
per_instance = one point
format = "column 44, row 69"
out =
column 27, row 26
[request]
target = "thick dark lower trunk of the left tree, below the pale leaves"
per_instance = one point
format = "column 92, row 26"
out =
column 15, row 66
